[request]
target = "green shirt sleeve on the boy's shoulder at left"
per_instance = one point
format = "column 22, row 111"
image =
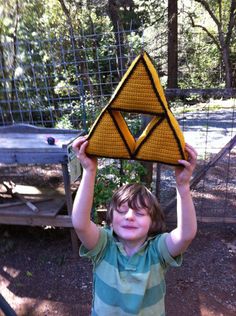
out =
column 96, row 254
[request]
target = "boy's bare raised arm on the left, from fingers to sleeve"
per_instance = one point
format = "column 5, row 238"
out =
column 86, row 230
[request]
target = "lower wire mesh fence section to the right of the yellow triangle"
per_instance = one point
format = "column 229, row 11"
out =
column 210, row 128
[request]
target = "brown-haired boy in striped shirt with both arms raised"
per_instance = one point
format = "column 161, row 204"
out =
column 131, row 258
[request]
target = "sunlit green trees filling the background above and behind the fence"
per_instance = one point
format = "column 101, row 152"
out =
column 65, row 58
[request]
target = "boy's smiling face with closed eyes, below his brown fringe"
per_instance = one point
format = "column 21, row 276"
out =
column 131, row 225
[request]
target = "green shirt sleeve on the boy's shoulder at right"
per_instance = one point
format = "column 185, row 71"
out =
column 165, row 256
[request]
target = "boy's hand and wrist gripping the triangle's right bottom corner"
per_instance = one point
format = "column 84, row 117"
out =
column 183, row 174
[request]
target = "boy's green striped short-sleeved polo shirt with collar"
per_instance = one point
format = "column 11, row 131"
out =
column 125, row 285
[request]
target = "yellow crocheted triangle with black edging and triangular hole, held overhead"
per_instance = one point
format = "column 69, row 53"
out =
column 139, row 91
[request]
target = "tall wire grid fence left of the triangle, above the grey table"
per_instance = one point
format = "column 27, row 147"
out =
column 47, row 80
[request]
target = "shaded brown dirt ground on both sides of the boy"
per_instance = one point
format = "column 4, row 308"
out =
column 40, row 276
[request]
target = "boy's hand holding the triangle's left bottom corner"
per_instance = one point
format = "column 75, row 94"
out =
column 79, row 145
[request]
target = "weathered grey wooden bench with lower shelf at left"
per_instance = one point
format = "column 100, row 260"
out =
column 22, row 144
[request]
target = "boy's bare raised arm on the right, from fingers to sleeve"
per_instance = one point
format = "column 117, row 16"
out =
column 179, row 239
